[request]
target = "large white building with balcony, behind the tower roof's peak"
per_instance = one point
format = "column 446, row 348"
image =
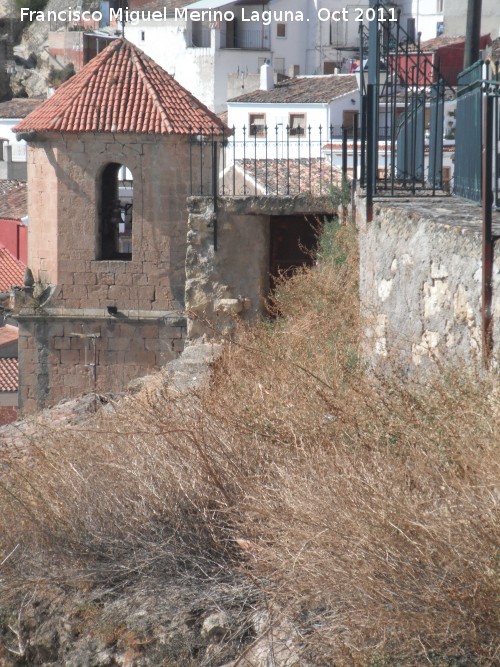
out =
column 205, row 43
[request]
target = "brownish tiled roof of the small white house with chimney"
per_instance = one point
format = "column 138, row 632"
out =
column 306, row 89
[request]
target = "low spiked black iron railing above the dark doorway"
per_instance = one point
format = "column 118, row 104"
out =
column 278, row 161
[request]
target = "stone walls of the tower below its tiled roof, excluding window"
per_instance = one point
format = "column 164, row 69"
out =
column 76, row 289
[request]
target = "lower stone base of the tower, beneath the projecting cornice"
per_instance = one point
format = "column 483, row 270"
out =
column 56, row 365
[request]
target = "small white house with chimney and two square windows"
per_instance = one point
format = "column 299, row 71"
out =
column 292, row 119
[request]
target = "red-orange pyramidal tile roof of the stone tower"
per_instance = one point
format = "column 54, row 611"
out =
column 122, row 90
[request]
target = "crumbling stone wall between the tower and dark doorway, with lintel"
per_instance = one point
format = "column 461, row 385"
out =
column 227, row 260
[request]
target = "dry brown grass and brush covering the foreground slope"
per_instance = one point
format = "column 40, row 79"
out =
column 361, row 508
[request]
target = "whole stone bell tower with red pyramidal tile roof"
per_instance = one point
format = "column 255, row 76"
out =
column 108, row 177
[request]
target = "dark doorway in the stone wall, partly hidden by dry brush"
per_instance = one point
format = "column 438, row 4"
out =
column 293, row 242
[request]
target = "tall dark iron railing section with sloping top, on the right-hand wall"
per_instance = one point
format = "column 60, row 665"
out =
column 402, row 107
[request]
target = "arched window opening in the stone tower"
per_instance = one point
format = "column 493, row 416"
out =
column 115, row 214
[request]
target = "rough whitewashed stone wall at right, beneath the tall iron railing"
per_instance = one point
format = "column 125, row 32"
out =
column 420, row 282
